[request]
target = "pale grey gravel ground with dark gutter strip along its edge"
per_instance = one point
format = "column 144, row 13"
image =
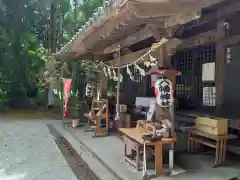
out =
column 30, row 152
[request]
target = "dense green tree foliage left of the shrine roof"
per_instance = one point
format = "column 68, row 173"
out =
column 25, row 33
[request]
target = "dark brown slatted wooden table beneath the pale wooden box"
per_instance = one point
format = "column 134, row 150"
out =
column 195, row 138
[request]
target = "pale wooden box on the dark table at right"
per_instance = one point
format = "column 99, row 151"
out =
column 214, row 126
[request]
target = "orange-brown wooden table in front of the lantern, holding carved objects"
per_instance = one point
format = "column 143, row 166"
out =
column 135, row 134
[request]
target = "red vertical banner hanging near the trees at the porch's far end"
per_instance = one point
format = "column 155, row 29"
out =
column 67, row 85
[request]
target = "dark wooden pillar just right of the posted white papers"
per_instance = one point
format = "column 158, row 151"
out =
column 220, row 65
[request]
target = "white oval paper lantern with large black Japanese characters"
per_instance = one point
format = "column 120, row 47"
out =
column 164, row 92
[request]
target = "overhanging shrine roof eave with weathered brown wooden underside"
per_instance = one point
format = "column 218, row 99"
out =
column 127, row 18
